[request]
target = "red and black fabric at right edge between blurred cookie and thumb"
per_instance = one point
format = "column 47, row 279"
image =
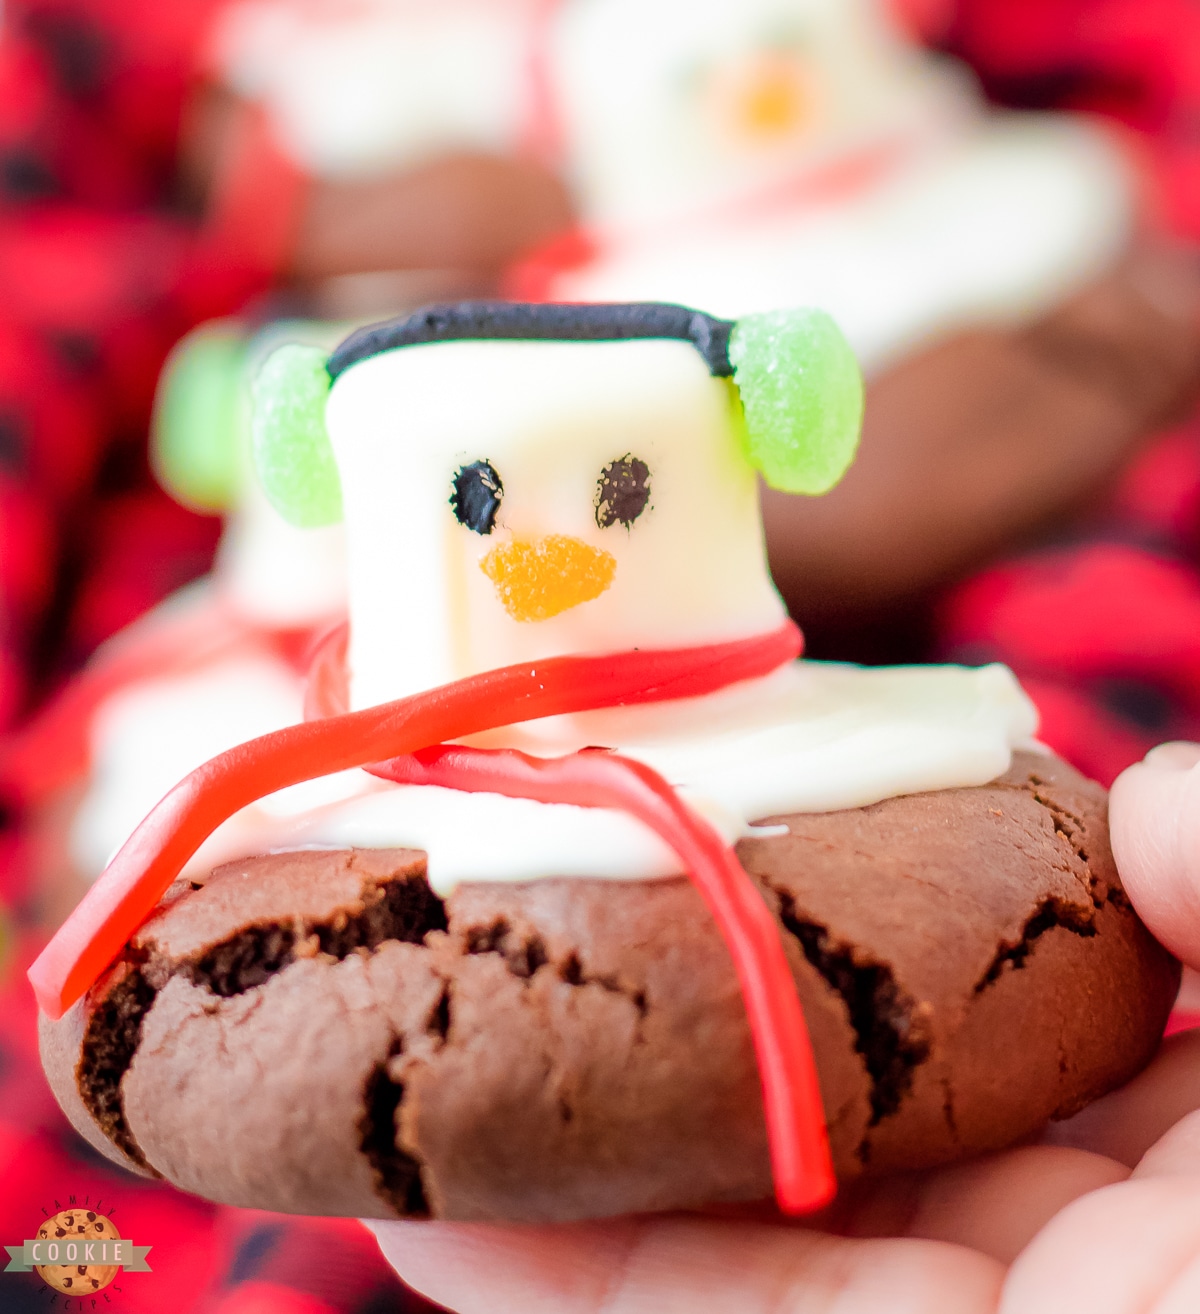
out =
column 1103, row 627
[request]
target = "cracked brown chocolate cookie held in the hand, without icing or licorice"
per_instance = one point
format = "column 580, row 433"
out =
column 317, row 1032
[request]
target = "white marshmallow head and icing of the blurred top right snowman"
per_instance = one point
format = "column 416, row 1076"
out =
column 699, row 131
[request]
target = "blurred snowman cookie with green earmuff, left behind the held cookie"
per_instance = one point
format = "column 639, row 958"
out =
column 215, row 664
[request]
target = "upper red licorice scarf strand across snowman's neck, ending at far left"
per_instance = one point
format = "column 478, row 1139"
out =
column 162, row 846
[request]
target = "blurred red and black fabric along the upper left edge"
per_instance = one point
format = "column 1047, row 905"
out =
column 101, row 274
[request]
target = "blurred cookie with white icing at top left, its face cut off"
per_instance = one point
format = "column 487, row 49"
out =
column 375, row 150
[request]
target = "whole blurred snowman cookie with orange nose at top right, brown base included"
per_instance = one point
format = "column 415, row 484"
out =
column 1022, row 320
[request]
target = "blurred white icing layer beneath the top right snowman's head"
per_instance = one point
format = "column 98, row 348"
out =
column 994, row 228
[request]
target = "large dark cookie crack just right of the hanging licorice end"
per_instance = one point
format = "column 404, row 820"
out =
column 889, row 1031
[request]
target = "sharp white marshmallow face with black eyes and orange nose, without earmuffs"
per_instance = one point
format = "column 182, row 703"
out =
column 509, row 501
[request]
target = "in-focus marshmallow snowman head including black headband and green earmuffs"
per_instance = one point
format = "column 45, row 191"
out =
column 521, row 482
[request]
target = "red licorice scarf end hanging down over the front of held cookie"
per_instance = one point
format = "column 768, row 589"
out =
column 801, row 1162
